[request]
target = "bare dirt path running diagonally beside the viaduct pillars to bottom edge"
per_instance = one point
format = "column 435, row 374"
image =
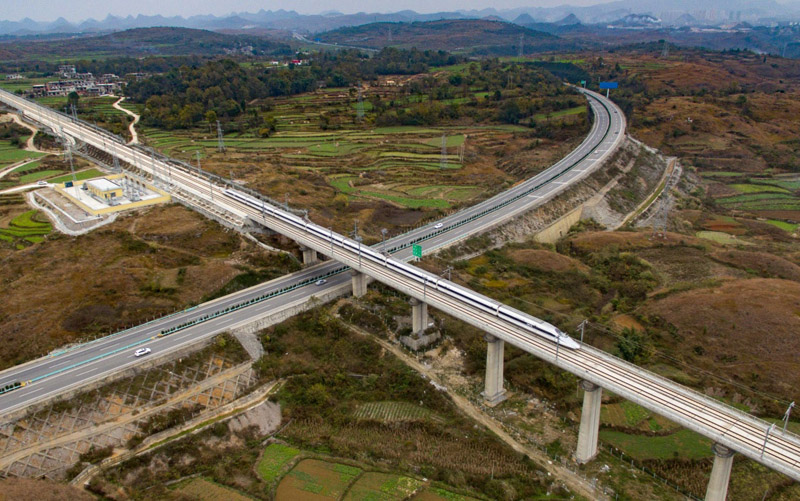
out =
column 572, row 481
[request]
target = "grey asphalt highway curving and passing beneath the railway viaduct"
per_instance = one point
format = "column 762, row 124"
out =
column 89, row 362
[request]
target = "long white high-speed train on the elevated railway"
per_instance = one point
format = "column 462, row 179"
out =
column 525, row 322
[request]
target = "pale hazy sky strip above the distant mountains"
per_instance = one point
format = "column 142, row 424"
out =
column 78, row 10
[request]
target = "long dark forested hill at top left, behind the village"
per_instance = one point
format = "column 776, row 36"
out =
column 141, row 42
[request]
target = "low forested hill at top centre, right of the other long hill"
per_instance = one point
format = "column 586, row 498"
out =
column 475, row 36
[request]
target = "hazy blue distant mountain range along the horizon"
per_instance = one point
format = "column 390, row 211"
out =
column 673, row 13
